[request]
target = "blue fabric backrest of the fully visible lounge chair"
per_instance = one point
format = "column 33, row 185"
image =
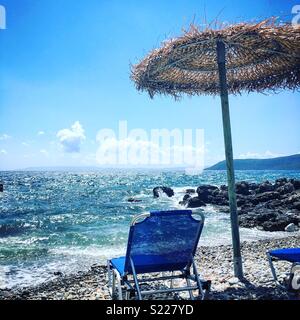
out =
column 164, row 241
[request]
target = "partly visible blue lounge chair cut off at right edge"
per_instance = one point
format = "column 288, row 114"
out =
column 291, row 255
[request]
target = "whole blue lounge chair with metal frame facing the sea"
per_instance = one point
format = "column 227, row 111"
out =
column 159, row 242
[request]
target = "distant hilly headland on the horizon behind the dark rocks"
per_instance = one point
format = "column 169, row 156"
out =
column 281, row 163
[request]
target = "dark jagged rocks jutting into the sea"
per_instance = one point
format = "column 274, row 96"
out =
column 266, row 206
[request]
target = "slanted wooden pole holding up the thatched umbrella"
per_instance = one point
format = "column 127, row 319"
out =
column 237, row 259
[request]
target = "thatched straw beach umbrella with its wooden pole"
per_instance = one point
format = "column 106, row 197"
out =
column 243, row 57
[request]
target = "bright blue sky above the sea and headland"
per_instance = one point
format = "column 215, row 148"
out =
column 64, row 75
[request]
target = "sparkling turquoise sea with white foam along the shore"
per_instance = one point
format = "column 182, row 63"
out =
column 67, row 221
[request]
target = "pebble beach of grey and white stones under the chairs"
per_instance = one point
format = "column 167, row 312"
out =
column 214, row 263
